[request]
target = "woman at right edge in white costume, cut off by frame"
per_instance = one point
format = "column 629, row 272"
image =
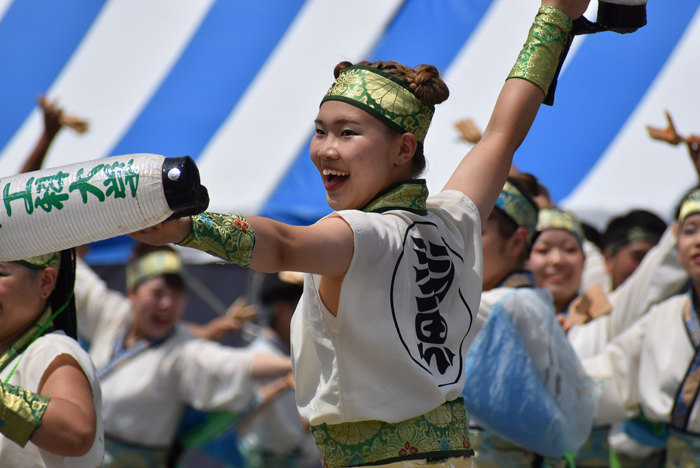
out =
column 654, row 364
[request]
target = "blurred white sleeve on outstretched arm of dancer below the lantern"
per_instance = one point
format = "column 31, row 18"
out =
column 213, row 376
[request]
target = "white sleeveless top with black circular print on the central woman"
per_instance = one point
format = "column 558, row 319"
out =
column 365, row 363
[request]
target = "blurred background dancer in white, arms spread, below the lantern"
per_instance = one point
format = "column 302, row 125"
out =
column 150, row 365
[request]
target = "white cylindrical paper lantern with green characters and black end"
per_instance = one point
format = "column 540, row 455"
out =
column 55, row 209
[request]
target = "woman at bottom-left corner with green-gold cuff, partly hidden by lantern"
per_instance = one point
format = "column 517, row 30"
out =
column 50, row 397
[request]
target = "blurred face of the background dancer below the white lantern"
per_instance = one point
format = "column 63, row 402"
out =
column 156, row 307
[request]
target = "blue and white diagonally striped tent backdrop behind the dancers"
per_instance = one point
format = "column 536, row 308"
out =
column 236, row 85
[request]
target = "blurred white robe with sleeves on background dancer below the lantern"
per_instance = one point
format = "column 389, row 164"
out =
column 144, row 398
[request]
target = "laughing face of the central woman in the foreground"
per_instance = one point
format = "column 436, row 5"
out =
column 355, row 155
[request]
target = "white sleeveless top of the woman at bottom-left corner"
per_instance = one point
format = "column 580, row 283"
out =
column 33, row 364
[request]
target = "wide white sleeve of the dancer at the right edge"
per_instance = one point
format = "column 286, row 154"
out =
column 618, row 368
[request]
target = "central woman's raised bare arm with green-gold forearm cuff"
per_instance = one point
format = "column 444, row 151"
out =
column 484, row 170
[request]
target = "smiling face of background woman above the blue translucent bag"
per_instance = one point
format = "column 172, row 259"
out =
column 556, row 262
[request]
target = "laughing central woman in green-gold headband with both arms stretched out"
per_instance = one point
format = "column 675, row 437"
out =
column 393, row 276
